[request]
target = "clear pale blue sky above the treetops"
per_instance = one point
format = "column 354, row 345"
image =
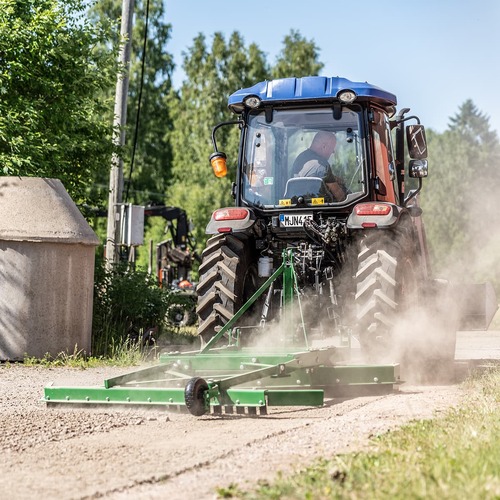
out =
column 432, row 54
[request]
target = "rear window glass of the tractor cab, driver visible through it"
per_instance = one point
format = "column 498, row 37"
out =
column 303, row 157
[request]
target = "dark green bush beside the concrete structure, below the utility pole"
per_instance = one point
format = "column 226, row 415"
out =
column 126, row 304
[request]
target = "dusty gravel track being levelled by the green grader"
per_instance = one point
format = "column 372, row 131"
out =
column 69, row 453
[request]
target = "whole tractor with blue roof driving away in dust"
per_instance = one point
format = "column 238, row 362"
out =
column 328, row 169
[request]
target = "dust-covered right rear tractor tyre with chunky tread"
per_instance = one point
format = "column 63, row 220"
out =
column 386, row 292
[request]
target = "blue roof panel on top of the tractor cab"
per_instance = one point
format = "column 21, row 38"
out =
column 307, row 89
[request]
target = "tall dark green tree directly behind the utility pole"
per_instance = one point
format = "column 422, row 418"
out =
column 147, row 155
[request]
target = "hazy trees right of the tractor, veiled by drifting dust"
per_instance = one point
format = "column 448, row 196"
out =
column 459, row 197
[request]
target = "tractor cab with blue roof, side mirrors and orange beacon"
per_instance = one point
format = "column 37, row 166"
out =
column 281, row 121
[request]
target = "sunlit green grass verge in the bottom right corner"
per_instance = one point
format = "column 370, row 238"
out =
column 454, row 457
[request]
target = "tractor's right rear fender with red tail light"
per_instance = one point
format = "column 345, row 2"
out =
column 375, row 214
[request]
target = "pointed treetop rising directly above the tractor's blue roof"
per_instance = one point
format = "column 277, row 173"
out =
column 299, row 57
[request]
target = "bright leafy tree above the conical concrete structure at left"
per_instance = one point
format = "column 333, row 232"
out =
column 51, row 81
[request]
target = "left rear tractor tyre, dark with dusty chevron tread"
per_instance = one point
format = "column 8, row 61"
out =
column 228, row 277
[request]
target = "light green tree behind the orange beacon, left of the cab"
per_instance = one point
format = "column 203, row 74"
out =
column 211, row 75
